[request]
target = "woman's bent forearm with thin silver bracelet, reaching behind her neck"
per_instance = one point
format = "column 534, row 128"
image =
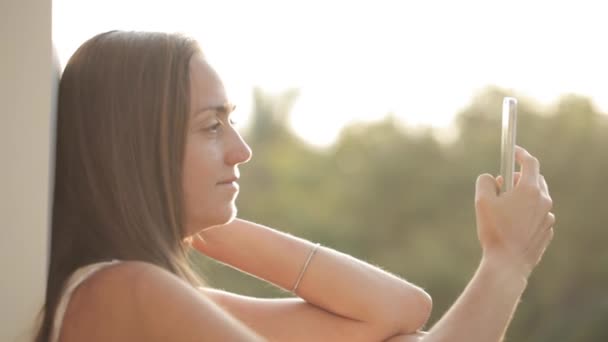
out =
column 333, row 281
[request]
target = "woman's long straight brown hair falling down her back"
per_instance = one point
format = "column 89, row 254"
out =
column 122, row 118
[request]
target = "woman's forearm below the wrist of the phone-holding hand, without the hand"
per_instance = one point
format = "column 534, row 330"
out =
column 485, row 308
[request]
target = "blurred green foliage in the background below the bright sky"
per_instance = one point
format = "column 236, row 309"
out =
column 405, row 202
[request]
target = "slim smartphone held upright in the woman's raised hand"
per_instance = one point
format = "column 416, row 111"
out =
column 507, row 146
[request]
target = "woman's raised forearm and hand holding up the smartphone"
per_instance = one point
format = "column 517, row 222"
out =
column 514, row 229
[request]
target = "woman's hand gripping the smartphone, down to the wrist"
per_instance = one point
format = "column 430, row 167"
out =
column 515, row 227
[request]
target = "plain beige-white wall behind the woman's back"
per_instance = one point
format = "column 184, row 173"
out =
column 28, row 83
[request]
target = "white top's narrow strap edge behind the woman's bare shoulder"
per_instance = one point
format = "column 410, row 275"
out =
column 77, row 278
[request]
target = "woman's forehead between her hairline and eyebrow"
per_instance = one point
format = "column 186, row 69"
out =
column 206, row 88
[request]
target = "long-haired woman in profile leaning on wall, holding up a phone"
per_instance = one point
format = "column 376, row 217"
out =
column 147, row 167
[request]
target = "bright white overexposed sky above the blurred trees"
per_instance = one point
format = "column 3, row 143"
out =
column 359, row 60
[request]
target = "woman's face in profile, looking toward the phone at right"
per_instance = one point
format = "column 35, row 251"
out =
column 214, row 150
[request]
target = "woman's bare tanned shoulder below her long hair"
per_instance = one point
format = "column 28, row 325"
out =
column 137, row 301
